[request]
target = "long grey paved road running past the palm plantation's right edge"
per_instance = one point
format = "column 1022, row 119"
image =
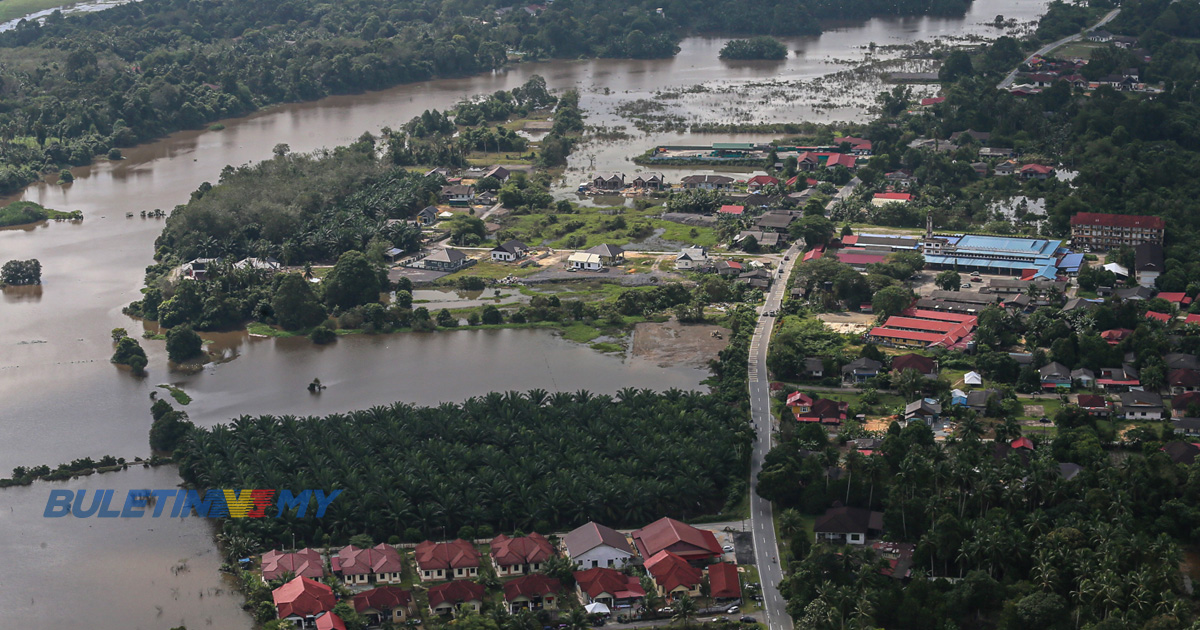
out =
column 761, row 524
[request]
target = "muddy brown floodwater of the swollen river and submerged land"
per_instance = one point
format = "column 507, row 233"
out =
column 61, row 399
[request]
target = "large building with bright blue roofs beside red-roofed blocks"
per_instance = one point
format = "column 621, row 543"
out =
column 992, row 255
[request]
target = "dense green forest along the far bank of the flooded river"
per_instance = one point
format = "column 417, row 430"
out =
column 76, row 87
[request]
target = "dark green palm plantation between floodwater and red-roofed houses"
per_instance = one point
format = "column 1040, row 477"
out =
column 536, row 461
